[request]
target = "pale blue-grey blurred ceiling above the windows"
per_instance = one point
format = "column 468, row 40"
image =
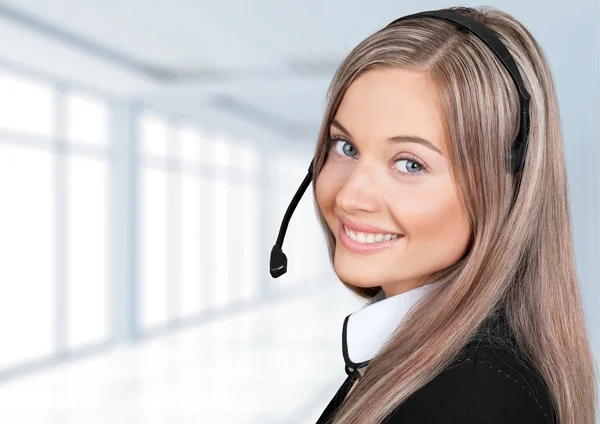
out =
column 267, row 63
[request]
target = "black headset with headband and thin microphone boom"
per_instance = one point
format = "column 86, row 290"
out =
column 278, row 261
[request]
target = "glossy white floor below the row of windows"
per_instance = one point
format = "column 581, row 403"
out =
column 279, row 363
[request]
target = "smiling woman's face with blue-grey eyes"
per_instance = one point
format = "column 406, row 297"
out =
column 375, row 175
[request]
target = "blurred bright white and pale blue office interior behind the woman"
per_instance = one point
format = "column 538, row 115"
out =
column 148, row 152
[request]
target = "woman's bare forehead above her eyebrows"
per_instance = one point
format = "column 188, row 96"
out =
column 381, row 103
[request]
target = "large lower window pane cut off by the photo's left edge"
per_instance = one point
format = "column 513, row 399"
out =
column 27, row 249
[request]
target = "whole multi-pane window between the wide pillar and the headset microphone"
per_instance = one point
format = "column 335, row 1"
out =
column 199, row 220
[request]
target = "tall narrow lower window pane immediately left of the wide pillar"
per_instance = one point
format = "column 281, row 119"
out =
column 87, row 247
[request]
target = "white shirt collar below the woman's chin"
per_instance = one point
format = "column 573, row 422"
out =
column 366, row 331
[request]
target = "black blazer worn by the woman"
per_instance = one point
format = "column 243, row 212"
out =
column 486, row 384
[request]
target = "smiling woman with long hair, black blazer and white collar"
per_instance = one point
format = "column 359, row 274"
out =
column 475, row 313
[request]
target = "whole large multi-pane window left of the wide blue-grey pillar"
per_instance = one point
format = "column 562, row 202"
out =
column 54, row 221
